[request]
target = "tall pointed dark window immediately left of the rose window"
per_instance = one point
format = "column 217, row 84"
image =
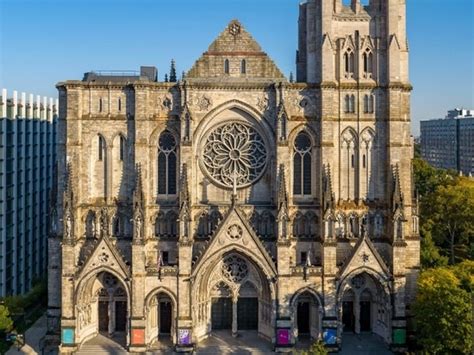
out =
column 167, row 164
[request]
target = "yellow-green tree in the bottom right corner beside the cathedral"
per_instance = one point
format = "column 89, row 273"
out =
column 443, row 314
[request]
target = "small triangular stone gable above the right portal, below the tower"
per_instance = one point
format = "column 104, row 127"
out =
column 365, row 255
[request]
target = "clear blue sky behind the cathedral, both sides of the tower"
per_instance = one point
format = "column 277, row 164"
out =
column 43, row 42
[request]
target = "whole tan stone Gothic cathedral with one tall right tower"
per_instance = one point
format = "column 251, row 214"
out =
column 235, row 200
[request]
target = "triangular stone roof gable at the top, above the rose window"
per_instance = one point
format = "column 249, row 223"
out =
column 235, row 55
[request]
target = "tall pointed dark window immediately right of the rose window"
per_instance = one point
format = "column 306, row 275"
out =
column 302, row 165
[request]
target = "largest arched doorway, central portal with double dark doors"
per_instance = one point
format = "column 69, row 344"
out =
column 233, row 295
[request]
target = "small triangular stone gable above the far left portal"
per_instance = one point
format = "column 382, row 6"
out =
column 105, row 255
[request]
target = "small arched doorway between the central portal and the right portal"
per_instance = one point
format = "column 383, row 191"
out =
column 307, row 316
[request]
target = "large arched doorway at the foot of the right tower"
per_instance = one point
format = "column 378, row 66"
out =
column 365, row 306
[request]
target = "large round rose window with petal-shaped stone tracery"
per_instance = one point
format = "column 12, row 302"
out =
column 234, row 153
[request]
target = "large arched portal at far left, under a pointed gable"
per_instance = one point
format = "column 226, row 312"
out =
column 103, row 308
